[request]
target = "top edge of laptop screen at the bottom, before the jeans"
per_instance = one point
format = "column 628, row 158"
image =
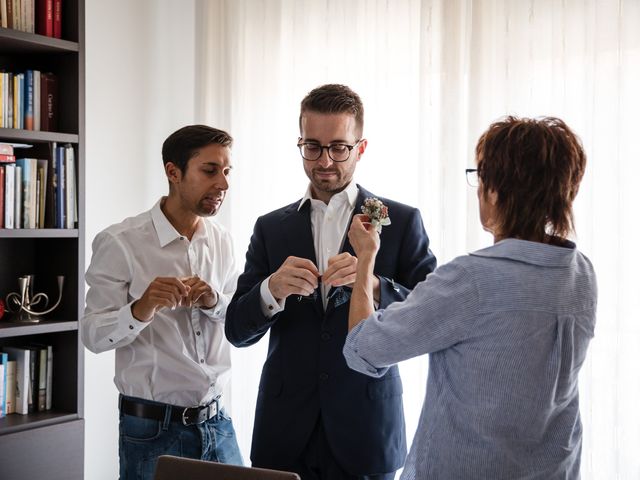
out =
column 178, row 468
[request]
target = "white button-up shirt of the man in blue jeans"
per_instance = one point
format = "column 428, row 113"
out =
column 181, row 356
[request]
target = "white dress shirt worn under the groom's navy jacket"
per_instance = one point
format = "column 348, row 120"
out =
column 329, row 225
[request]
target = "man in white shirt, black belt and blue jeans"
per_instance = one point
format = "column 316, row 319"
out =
column 159, row 286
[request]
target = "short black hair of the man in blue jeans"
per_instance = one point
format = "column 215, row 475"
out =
column 181, row 145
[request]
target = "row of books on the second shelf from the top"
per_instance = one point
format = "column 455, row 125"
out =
column 28, row 100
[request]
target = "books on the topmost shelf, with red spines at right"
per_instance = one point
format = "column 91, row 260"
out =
column 43, row 17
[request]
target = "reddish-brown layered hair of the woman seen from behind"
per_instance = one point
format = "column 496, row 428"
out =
column 535, row 166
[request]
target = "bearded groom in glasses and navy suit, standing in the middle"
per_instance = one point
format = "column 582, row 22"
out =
column 314, row 415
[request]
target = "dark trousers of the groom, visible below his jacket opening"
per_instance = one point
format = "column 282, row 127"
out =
column 318, row 463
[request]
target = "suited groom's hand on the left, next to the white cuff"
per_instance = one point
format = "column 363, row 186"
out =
column 296, row 276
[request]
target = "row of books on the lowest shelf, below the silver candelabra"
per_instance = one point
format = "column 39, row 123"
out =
column 26, row 375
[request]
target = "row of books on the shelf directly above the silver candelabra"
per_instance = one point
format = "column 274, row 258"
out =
column 38, row 193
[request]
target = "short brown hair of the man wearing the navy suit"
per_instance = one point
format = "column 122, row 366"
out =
column 334, row 98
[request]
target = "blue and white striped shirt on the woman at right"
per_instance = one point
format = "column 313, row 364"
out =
column 507, row 329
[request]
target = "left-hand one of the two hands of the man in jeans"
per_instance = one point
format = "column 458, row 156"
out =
column 163, row 292
